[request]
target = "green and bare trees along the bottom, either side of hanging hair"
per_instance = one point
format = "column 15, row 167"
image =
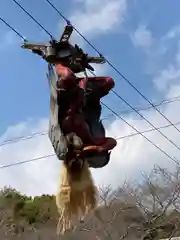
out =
column 148, row 210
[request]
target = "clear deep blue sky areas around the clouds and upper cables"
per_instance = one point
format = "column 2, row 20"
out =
column 24, row 89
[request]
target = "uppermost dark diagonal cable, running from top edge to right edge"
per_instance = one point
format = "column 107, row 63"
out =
column 111, row 65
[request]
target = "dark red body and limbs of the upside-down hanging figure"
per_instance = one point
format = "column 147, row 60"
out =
column 73, row 120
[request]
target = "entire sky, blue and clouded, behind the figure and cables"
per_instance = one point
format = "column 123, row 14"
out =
column 140, row 37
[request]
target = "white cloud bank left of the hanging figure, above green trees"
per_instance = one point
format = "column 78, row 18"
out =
column 26, row 177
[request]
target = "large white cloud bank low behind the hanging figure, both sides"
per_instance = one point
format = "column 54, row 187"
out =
column 130, row 157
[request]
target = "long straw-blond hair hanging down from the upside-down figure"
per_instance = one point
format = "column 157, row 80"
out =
column 77, row 196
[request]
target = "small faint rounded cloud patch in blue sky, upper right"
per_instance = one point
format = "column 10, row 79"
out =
column 142, row 37
